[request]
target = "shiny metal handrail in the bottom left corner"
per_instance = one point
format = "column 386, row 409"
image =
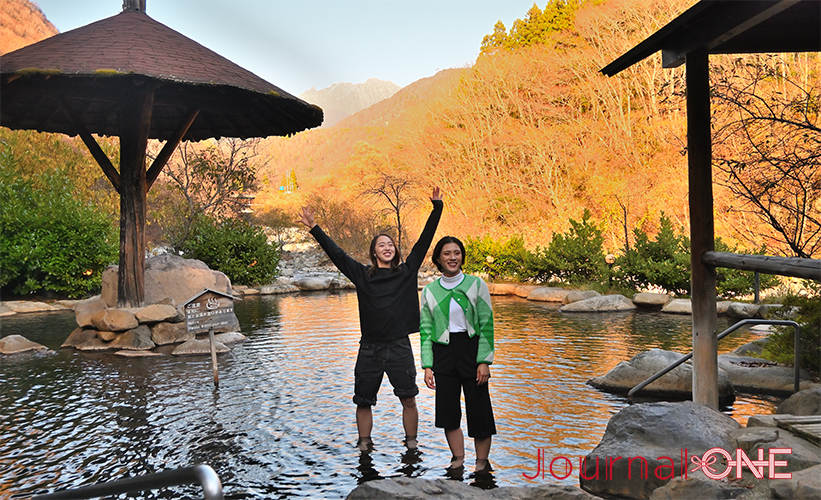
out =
column 199, row 474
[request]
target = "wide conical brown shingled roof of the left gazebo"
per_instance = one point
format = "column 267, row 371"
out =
column 89, row 70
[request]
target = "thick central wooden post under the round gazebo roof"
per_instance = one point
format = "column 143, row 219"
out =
column 134, row 122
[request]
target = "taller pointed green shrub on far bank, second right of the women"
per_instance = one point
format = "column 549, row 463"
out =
column 573, row 257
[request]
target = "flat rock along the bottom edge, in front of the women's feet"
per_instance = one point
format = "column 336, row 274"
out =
column 407, row 488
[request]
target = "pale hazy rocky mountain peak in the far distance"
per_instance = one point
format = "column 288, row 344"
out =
column 340, row 100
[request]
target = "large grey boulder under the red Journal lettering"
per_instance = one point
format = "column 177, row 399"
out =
column 658, row 433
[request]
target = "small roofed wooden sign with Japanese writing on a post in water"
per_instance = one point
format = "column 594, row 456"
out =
column 208, row 310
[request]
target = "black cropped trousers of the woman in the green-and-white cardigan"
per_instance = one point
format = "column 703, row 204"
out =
column 454, row 369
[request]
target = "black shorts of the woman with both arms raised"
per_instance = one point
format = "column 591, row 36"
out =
column 394, row 358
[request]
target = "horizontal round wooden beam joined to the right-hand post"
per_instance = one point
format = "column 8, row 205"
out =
column 767, row 264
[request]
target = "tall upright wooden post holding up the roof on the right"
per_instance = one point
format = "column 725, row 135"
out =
column 702, row 232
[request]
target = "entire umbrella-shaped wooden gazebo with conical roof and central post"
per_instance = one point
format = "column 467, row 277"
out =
column 133, row 77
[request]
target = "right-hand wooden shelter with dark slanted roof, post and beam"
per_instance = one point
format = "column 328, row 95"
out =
column 722, row 27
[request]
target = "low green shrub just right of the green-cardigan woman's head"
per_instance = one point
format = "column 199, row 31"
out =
column 499, row 259
